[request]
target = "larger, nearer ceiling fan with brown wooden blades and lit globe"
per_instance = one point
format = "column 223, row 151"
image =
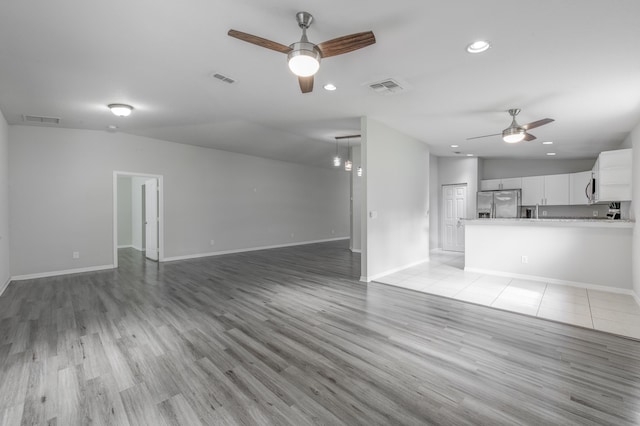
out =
column 304, row 56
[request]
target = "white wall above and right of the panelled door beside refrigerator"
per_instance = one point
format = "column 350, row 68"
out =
column 460, row 170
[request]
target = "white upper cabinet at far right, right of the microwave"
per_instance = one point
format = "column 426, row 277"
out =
column 612, row 173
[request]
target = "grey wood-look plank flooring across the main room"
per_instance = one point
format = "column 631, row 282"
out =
column 290, row 337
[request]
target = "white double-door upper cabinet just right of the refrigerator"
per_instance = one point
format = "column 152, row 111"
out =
column 550, row 190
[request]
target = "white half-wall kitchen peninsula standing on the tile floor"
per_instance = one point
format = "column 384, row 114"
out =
column 587, row 253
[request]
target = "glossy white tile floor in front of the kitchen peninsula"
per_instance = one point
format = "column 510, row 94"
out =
column 444, row 275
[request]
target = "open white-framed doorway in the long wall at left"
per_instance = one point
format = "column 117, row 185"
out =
column 138, row 214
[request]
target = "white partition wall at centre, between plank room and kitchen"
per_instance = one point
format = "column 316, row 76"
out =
column 396, row 188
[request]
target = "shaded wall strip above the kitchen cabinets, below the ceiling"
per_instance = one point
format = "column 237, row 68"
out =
column 498, row 168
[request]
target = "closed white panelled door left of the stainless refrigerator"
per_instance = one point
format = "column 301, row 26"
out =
column 454, row 201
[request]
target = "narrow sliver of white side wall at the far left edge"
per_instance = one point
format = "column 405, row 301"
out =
column 5, row 271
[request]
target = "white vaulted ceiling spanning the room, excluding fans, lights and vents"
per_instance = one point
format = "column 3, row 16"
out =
column 576, row 61
